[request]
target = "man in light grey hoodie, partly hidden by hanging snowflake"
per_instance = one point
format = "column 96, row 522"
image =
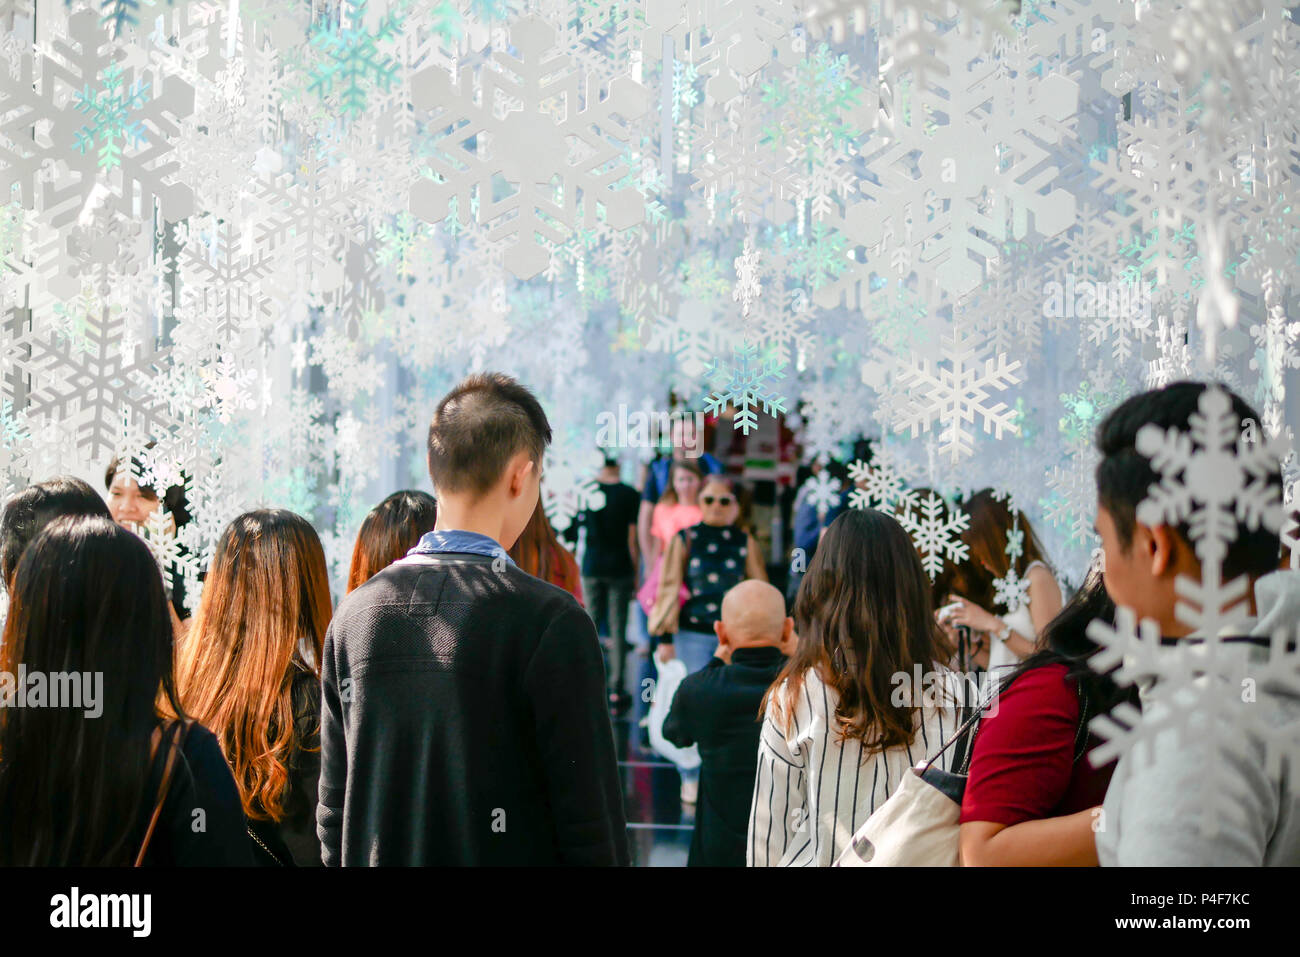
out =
column 1217, row 783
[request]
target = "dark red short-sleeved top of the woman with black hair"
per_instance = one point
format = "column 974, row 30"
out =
column 1024, row 765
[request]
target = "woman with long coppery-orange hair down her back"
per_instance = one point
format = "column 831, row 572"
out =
column 250, row 672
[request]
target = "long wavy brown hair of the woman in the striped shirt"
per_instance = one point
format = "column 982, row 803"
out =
column 864, row 616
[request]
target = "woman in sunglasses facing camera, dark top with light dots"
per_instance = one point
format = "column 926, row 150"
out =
column 710, row 558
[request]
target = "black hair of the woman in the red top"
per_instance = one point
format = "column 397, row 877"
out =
column 1065, row 642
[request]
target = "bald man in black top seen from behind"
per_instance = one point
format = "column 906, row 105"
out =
column 718, row 709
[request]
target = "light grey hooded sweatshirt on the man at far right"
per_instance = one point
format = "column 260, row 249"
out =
column 1220, row 796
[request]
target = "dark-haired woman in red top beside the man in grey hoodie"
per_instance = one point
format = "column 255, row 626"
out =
column 1032, row 796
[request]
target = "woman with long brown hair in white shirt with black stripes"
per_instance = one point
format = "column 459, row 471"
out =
column 844, row 721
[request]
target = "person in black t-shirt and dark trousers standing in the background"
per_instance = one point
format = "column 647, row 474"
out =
column 609, row 570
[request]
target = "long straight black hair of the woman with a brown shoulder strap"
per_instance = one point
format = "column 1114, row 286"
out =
column 88, row 599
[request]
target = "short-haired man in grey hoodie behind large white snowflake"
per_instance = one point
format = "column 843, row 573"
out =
column 1158, row 802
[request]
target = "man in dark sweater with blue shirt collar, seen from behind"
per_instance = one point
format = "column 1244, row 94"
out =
column 465, row 720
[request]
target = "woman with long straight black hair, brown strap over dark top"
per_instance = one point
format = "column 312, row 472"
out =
column 110, row 782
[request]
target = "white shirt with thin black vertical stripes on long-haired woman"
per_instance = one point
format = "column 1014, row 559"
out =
column 813, row 791
